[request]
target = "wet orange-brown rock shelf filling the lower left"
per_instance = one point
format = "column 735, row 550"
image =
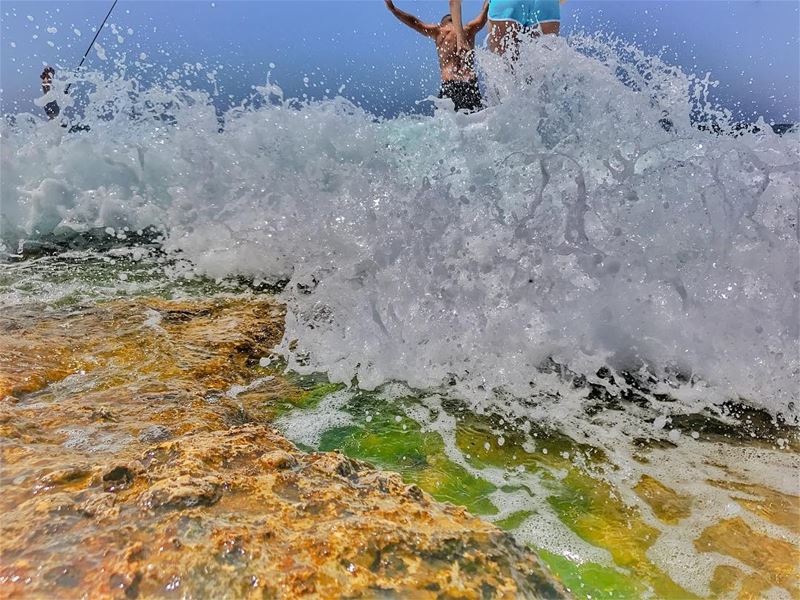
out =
column 131, row 468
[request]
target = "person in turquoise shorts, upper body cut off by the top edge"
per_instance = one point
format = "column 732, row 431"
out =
column 509, row 20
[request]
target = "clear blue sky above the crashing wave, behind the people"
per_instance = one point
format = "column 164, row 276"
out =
column 751, row 46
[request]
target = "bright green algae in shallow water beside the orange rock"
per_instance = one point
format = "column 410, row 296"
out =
column 383, row 434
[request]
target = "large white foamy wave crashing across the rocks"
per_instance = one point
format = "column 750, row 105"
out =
column 560, row 226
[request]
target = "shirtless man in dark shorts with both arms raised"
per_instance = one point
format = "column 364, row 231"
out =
column 459, row 81
